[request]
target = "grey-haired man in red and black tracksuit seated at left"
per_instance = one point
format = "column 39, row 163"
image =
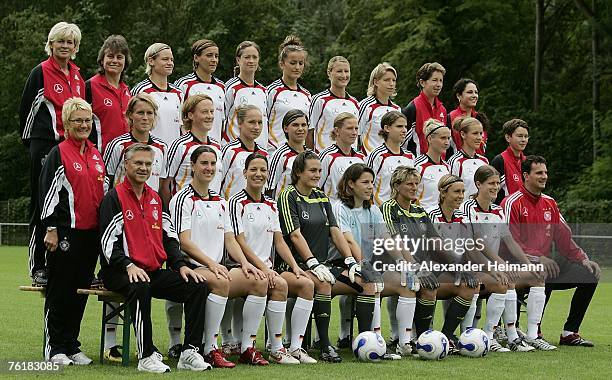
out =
column 137, row 237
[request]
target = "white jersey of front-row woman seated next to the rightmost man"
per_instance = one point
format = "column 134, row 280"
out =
column 489, row 225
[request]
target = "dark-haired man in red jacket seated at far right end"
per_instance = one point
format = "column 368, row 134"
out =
column 536, row 223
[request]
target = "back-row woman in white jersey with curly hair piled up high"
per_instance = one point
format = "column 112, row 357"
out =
column 286, row 93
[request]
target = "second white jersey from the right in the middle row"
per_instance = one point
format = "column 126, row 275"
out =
column 427, row 192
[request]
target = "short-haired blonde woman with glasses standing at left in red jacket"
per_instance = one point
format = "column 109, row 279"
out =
column 72, row 184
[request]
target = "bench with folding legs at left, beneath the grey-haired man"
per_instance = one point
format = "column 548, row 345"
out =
column 108, row 300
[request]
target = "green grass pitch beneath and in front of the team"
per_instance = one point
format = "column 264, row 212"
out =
column 21, row 338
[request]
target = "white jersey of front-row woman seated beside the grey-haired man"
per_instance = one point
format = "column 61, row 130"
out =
column 206, row 216
